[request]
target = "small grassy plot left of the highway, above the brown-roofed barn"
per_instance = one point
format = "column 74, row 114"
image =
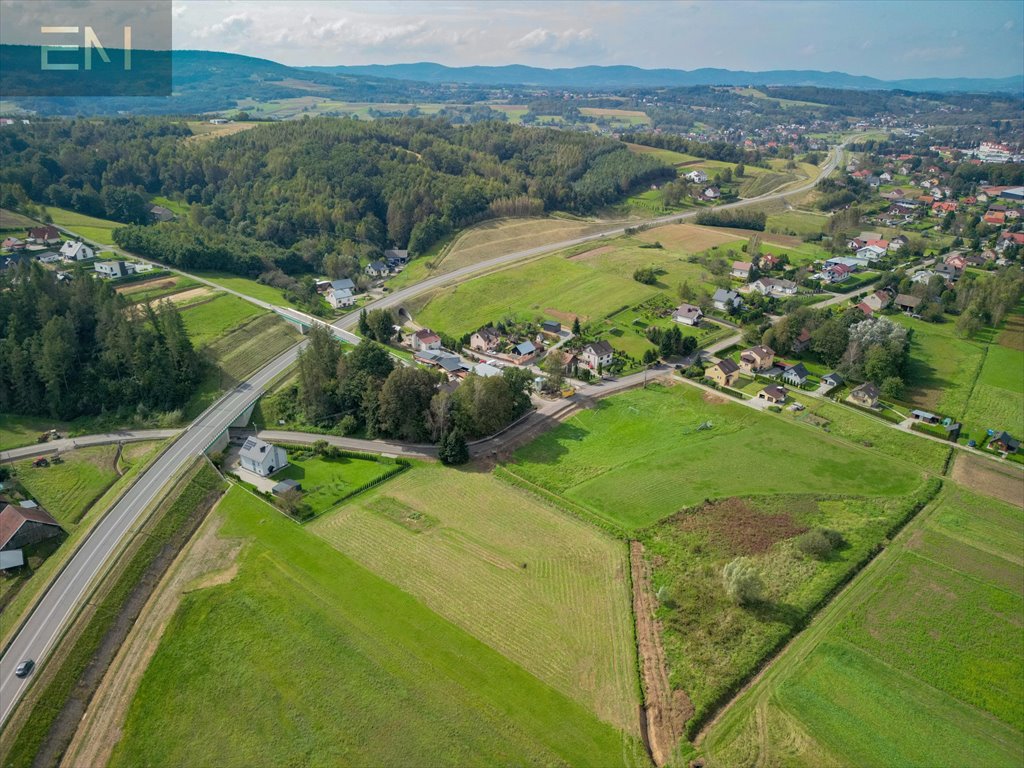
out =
column 69, row 489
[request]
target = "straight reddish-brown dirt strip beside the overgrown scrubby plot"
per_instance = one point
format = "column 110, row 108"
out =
column 667, row 711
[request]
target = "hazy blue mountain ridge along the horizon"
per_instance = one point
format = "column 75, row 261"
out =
column 626, row 77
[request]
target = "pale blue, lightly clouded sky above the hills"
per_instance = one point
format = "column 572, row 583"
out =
column 880, row 38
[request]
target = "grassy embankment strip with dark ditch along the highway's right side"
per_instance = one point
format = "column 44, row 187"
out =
column 65, row 686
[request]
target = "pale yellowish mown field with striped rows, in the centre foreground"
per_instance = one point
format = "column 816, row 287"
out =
column 544, row 589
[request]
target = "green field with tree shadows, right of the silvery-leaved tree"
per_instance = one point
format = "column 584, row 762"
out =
column 943, row 367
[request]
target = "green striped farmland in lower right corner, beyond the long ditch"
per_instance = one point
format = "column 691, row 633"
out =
column 918, row 663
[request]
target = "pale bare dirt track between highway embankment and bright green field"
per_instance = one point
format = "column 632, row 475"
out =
column 200, row 566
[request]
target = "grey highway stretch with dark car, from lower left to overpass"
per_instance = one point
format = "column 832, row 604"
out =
column 38, row 636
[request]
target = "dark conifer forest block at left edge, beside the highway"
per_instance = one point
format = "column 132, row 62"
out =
column 73, row 349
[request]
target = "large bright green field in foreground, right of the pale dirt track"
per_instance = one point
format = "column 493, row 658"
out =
column 342, row 665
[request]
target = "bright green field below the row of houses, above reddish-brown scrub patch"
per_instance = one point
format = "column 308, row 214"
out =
column 662, row 463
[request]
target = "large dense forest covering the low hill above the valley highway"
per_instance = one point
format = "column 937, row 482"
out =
column 308, row 189
